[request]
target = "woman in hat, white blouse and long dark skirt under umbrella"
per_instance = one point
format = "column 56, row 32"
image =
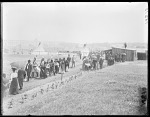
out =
column 13, row 89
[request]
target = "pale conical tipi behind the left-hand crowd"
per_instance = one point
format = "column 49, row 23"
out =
column 39, row 50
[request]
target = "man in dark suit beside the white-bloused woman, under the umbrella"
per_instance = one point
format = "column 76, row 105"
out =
column 21, row 76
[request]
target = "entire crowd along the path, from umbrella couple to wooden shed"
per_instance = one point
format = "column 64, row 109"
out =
column 49, row 67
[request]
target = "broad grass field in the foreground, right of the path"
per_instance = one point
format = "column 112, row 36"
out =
column 110, row 91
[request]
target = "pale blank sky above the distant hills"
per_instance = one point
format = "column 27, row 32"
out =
column 75, row 22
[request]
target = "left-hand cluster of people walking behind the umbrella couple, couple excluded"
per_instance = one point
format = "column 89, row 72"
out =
column 49, row 67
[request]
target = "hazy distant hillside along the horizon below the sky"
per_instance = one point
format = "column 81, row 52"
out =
column 27, row 46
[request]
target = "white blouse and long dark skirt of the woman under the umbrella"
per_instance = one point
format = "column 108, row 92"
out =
column 13, row 89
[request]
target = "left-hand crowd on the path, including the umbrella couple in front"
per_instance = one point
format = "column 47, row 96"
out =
column 35, row 70
